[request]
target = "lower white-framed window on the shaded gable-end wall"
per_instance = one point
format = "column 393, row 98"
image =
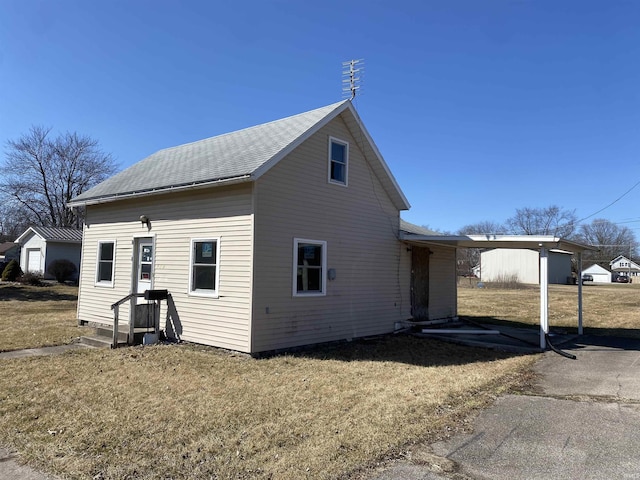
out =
column 309, row 267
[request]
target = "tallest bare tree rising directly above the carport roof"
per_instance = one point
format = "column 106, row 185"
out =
column 543, row 221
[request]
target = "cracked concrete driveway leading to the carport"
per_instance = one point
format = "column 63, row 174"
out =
column 583, row 422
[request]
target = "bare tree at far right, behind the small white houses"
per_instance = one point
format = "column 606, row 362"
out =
column 611, row 239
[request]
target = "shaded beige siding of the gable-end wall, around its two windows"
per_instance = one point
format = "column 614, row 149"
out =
column 360, row 225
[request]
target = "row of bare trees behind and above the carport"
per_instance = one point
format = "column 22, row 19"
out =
column 610, row 238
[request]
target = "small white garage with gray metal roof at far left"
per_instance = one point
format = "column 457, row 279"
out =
column 43, row 245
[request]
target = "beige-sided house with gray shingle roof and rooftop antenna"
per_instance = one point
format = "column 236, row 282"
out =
column 275, row 236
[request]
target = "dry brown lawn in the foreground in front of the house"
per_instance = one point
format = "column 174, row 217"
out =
column 188, row 412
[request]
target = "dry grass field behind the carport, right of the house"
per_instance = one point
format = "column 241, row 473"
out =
column 608, row 309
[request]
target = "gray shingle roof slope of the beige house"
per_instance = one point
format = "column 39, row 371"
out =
column 234, row 155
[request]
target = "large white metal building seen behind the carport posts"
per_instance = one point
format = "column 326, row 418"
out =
column 523, row 265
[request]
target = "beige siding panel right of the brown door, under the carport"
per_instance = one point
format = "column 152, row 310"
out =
column 442, row 283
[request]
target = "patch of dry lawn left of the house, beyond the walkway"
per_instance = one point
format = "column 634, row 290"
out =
column 33, row 317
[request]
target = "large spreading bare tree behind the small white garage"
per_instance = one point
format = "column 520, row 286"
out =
column 41, row 174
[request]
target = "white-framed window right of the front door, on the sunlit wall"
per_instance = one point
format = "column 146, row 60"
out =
column 204, row 272
